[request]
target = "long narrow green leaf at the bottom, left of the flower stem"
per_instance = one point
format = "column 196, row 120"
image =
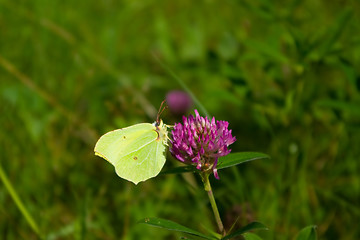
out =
column 170, row 225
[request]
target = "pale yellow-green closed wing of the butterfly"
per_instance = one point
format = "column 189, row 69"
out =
column 136, row 152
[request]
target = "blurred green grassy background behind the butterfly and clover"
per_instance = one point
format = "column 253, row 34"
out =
column 285, row 74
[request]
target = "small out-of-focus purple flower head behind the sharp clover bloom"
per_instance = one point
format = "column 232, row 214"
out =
column 179, row 102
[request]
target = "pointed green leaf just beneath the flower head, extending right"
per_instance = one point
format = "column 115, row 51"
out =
column 238, row 158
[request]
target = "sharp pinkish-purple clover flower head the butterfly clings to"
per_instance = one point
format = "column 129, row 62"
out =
column 200, row 142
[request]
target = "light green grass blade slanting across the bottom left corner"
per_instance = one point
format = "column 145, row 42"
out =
column 18, row 202
